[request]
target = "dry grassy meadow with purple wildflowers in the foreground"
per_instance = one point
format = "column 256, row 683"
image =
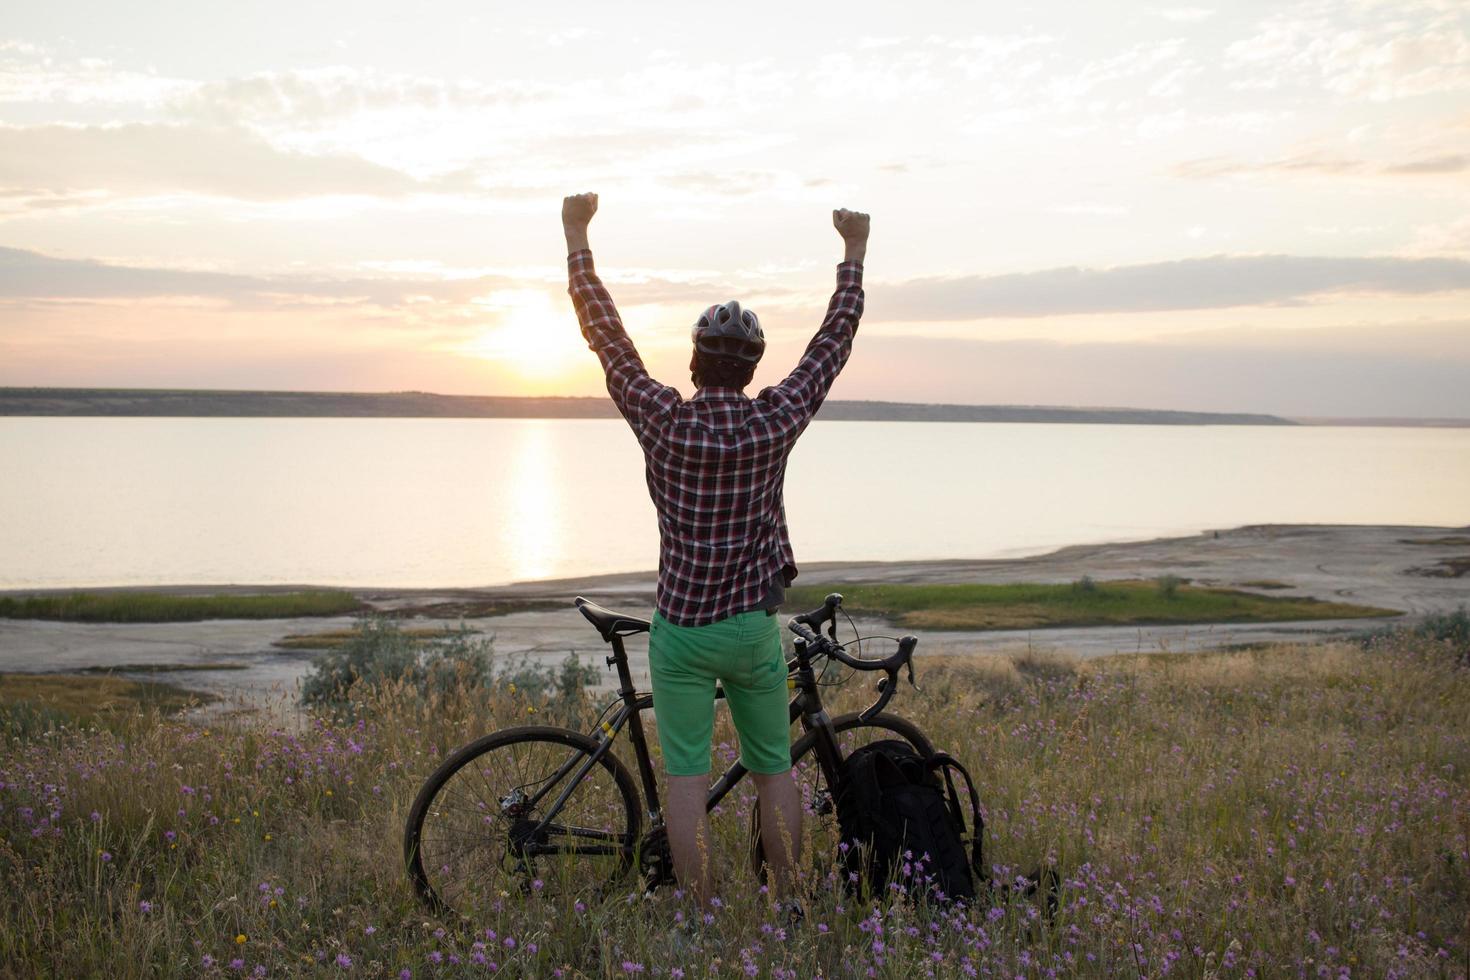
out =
column 1281, row 812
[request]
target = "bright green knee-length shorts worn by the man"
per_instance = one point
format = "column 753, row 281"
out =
column 745, row 655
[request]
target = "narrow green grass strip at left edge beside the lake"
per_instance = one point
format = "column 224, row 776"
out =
column 155, row 608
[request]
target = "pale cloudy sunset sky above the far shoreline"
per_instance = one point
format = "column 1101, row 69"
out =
column 1247, row 206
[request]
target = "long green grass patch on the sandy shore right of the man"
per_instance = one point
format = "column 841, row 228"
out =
column 1086, row 603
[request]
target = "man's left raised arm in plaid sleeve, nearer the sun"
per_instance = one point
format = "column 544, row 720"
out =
column 637, row 396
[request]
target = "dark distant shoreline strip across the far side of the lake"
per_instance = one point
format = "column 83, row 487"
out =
column 417, row 405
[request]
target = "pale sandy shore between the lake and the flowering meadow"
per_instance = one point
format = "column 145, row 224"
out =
column 1383, row 566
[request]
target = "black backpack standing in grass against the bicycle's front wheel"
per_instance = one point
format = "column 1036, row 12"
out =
column 903, row 822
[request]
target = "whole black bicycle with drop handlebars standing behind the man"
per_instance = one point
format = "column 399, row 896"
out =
column 548, row 810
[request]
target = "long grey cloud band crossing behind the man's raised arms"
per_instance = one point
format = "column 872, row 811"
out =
column 1191, row 284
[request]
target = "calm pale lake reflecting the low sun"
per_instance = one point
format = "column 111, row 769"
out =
column 487, row 502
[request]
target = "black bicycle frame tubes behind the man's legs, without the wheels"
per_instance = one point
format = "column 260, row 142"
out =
column 806, row 707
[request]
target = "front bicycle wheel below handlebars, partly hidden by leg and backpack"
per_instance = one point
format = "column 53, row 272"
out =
column 820, row 828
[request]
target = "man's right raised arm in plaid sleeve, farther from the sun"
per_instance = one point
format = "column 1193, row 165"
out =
column 806, row 387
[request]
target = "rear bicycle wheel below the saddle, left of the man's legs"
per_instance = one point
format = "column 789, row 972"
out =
column 521, row 812
